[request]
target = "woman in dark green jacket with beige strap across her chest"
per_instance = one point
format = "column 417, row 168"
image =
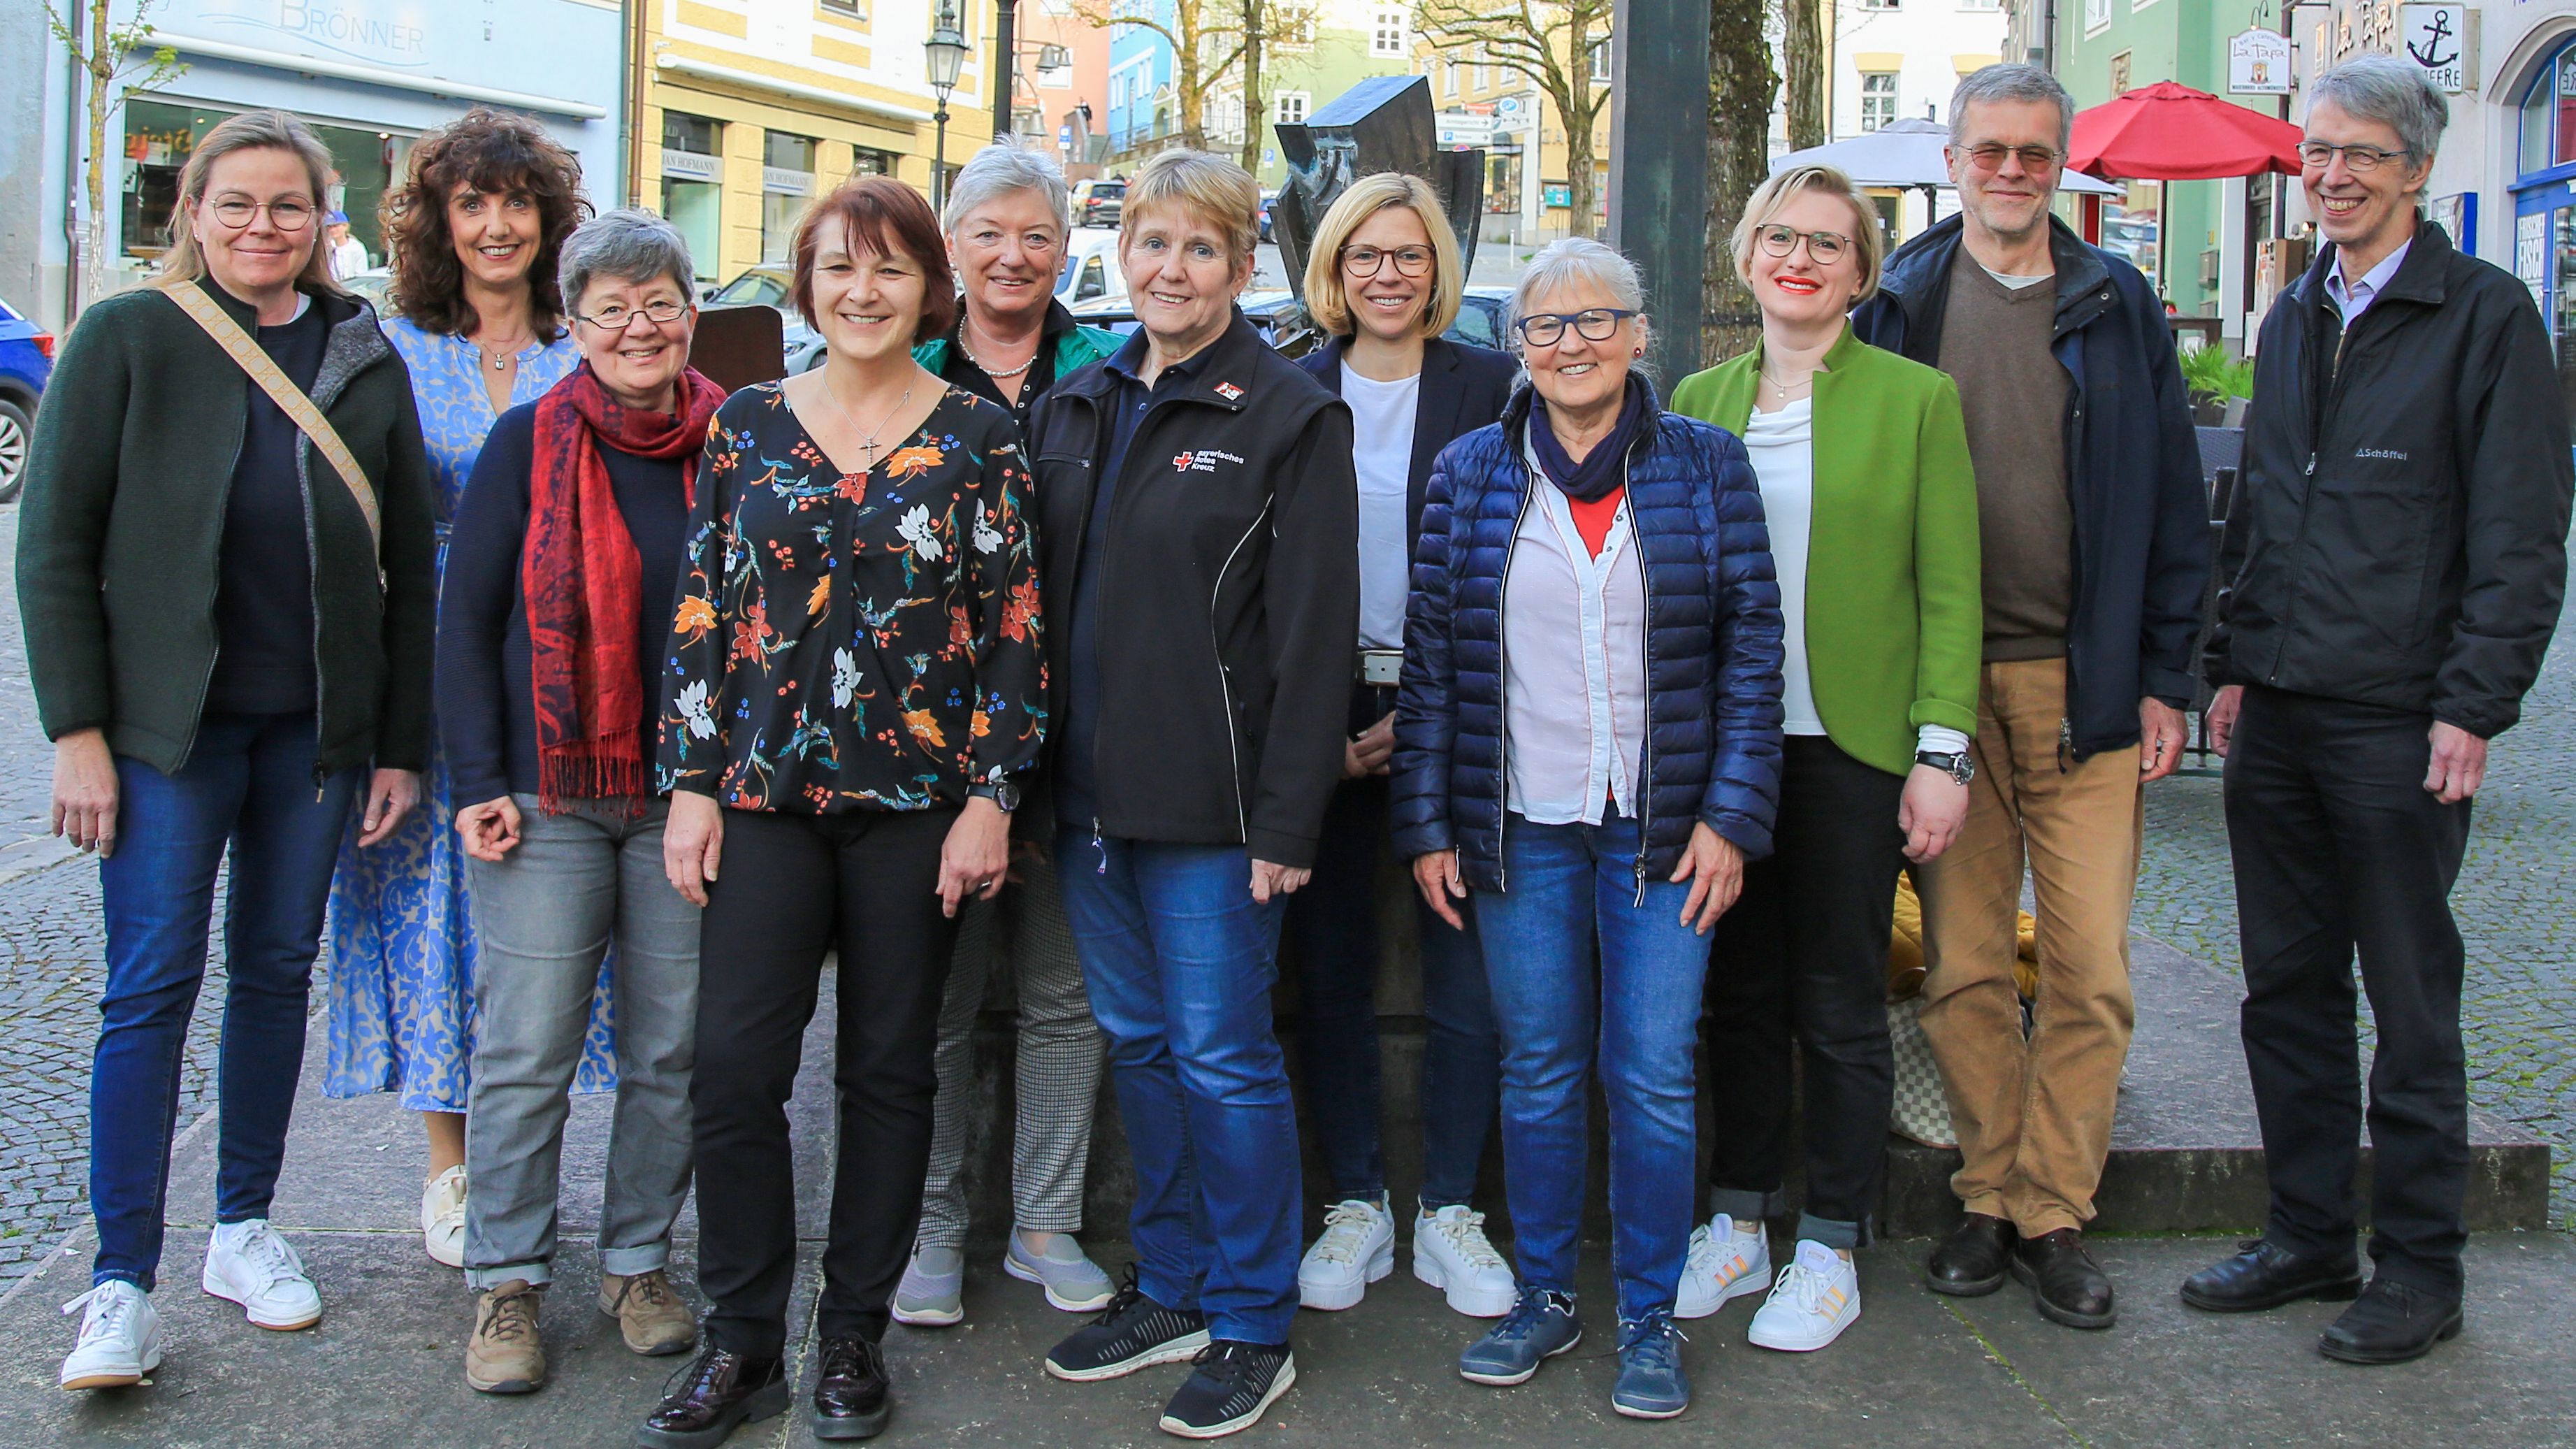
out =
column 225, row 656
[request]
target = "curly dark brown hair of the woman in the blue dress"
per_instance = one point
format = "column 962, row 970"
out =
column 488, row 151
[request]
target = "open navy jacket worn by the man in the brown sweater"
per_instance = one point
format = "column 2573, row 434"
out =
column 2132, row 473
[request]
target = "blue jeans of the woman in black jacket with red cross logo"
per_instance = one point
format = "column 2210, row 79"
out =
column 1179, row 963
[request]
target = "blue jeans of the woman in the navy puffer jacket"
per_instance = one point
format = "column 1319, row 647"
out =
column 1573, row 888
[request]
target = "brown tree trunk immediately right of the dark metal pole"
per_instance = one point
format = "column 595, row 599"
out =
column 1740, row 94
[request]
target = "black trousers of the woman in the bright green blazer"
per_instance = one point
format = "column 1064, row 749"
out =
column 1807, row 950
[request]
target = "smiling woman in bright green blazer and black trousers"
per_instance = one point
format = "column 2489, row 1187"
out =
column 1866, row 483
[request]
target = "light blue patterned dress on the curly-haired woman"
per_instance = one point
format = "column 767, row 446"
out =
column 401, row 935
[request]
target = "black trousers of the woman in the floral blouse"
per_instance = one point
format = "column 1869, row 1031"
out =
column 790, row 891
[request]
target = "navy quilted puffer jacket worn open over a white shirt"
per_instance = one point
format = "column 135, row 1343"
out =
column 1712, row 646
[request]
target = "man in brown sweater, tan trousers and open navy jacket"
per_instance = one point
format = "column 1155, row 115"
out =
column 2096, row 550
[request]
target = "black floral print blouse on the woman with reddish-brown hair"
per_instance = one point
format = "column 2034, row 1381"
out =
column 854, row 641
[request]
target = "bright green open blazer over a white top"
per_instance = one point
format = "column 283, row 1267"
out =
column 1895, row 605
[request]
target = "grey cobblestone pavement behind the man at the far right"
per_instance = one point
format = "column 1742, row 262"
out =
column 2515, row 906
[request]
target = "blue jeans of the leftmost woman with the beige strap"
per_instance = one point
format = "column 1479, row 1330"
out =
column 249, row 785
